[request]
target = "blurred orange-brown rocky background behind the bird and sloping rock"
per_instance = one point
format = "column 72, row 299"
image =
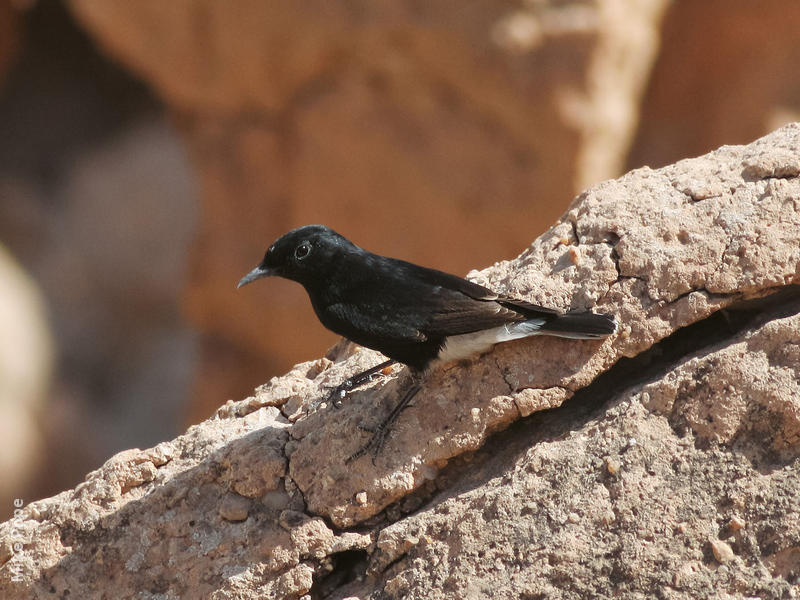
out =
column 150, row 151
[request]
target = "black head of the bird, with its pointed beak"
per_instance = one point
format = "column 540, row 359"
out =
column 305, row 255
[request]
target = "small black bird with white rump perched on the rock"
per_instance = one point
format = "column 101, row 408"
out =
column 414, row 315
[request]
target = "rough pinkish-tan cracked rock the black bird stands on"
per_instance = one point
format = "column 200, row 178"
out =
column 667, row 465
